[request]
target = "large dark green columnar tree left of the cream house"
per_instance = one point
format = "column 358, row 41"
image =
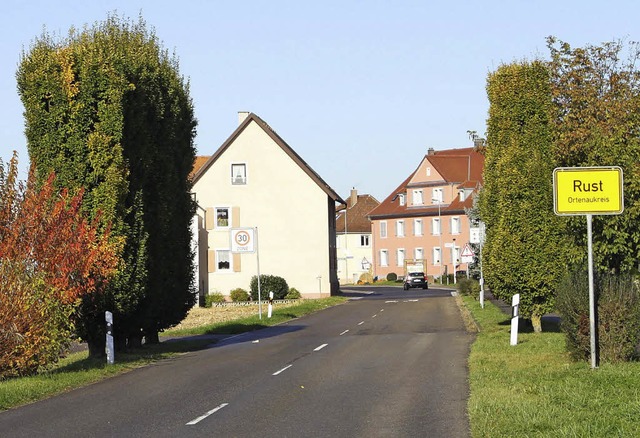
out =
column 107, row 109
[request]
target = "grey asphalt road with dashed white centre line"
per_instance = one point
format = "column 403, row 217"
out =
column 388, row 363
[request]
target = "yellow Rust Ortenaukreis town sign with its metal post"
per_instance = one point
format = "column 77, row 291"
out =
column 588, row 191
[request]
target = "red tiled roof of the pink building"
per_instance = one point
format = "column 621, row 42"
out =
column 461, row 167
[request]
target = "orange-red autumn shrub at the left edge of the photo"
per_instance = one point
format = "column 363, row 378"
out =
column 50, row 257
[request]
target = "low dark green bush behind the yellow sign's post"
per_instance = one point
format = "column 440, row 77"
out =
column 618, row 301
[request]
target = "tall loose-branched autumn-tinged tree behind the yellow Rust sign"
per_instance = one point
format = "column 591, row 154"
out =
column 596, row 95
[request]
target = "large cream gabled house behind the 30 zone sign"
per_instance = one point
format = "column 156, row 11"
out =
column 255, row 180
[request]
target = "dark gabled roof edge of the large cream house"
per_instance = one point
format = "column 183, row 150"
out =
column 280, row 142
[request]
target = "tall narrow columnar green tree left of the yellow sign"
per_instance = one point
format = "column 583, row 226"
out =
column 524, row 250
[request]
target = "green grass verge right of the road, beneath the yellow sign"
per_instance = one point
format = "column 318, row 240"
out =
column 535, row 389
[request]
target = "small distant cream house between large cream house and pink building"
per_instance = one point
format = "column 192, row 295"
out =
column 353, row 238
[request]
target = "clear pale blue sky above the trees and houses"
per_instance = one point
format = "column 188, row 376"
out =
column 360, row 89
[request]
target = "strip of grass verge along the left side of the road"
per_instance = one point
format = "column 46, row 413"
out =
column 78, row 370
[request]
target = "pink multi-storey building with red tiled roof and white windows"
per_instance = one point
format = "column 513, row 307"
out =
column 424, row 217
